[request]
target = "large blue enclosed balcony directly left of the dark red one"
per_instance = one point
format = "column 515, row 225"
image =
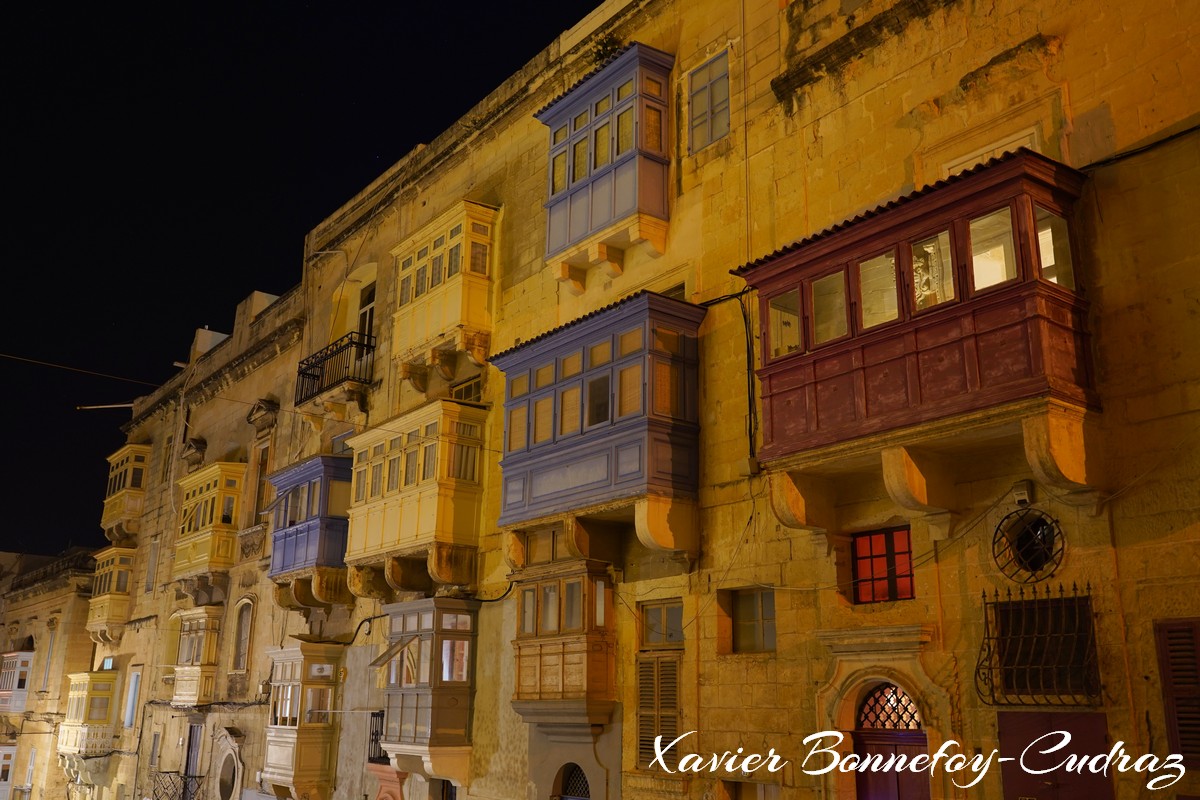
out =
column 602, row 418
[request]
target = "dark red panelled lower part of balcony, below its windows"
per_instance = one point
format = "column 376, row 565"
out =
column 1017, row 344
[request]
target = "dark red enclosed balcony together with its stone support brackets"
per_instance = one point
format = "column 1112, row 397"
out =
column 909, row 338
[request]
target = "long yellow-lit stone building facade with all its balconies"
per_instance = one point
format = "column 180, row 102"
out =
column 761, row 378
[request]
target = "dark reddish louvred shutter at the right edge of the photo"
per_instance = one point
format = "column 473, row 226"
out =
column 1179, row 659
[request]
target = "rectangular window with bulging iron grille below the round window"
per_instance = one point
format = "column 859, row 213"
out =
column 1039, row 649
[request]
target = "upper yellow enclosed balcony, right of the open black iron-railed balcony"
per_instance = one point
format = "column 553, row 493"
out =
column 445, row 305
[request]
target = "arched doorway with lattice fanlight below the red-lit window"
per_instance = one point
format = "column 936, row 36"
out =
column 887, row 724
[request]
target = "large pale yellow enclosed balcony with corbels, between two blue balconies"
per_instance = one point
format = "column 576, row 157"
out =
column 417, row 501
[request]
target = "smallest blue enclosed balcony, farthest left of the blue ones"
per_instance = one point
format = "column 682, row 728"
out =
column 309, row 524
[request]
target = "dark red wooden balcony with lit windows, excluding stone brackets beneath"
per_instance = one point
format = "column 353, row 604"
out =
column 959, row 298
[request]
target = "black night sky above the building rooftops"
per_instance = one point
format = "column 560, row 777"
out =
column 165, row 161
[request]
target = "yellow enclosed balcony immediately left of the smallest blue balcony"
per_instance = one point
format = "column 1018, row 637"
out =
column 208, row 531
